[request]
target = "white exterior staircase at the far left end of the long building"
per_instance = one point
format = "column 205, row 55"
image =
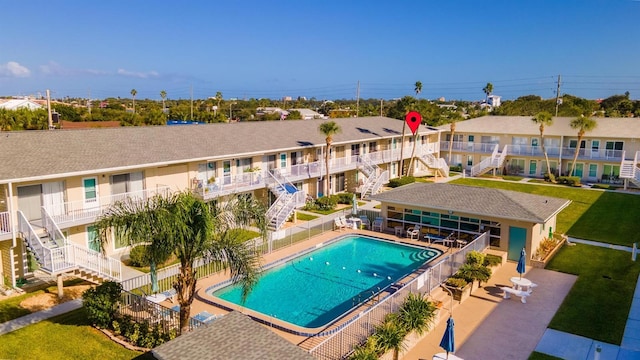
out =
column 56, row 255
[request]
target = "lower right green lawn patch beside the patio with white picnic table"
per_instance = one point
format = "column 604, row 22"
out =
column 598, row 305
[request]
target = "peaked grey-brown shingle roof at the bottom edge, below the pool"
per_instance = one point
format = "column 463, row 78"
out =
column 233, row 337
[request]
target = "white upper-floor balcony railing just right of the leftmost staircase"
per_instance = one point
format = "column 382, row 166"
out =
column 74, row 213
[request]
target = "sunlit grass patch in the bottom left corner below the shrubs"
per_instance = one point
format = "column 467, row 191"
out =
column 67, row 336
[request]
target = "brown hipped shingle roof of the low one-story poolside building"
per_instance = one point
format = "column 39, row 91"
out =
column 476, row 200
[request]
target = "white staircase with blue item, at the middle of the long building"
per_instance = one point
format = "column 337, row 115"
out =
column 288, row 198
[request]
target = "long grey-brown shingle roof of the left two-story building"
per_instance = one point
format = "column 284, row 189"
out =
column 27, row 154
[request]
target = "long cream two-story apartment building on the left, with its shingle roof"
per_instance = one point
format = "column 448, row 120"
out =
column 55, row 184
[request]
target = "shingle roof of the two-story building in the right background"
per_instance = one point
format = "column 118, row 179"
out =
column 623, row 128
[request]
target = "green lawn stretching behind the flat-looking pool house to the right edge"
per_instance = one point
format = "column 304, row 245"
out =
column 593, row 214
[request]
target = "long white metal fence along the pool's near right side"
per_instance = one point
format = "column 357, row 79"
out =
column 342, row 342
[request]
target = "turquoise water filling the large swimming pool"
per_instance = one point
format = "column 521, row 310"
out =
column 314, row 289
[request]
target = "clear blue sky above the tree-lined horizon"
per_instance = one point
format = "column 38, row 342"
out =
column 320, row 49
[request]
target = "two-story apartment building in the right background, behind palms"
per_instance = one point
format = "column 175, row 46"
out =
column 512, row 144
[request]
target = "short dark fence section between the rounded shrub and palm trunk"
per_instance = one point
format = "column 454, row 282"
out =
column 143, row 311
